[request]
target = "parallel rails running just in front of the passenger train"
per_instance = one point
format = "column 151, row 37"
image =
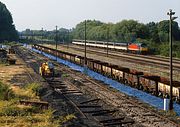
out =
column 140, row 59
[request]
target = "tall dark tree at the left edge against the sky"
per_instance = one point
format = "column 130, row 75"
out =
column 7, row 28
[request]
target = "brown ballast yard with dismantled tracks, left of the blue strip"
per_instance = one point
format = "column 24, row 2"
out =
column 93, row 102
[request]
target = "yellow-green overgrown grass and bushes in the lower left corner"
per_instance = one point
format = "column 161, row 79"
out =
column 13, row 114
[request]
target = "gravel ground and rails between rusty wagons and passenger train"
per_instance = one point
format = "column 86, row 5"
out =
column 146, row 63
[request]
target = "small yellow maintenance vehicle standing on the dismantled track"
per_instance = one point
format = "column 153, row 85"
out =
column 46, row 69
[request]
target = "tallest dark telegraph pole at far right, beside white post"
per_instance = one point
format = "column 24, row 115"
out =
column 170, row 13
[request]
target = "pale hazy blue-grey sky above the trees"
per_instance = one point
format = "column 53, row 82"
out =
column 46, row 14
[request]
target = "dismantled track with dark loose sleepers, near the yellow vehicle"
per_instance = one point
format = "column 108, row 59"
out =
column 92, row 109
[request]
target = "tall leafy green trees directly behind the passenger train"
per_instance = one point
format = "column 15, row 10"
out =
column 127, row 30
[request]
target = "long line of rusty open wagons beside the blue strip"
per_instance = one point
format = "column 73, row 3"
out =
column 156, row 85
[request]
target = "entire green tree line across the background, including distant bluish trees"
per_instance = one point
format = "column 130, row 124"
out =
column 155, row 35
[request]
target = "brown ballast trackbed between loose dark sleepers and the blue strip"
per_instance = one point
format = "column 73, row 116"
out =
column 125, row 104
